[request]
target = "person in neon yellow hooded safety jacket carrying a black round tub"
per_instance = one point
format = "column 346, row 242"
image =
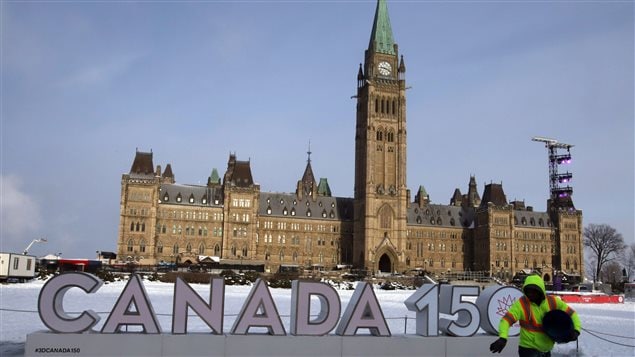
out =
column 529, row 310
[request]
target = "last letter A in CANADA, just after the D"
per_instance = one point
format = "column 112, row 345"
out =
column 363, row 311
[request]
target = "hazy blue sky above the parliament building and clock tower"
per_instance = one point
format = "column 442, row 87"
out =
column 84, row 84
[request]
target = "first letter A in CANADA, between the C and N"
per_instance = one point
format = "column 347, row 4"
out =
column 133, row 294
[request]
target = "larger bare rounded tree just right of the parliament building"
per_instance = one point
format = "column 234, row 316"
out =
column 606, row 244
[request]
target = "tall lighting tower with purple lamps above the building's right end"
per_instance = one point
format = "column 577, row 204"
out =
column 560, row 194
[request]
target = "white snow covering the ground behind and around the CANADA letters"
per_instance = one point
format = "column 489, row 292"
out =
column 609, row 329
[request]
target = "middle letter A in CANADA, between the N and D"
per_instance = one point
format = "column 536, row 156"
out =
column 259, row 310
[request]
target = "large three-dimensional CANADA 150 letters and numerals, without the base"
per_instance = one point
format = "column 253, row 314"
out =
column 259, row 309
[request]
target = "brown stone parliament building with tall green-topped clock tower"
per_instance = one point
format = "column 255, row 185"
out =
column 382, row 229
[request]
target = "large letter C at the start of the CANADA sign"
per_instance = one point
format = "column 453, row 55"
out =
column 50, row 303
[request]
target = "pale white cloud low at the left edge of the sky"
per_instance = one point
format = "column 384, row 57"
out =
column 20, row 215
